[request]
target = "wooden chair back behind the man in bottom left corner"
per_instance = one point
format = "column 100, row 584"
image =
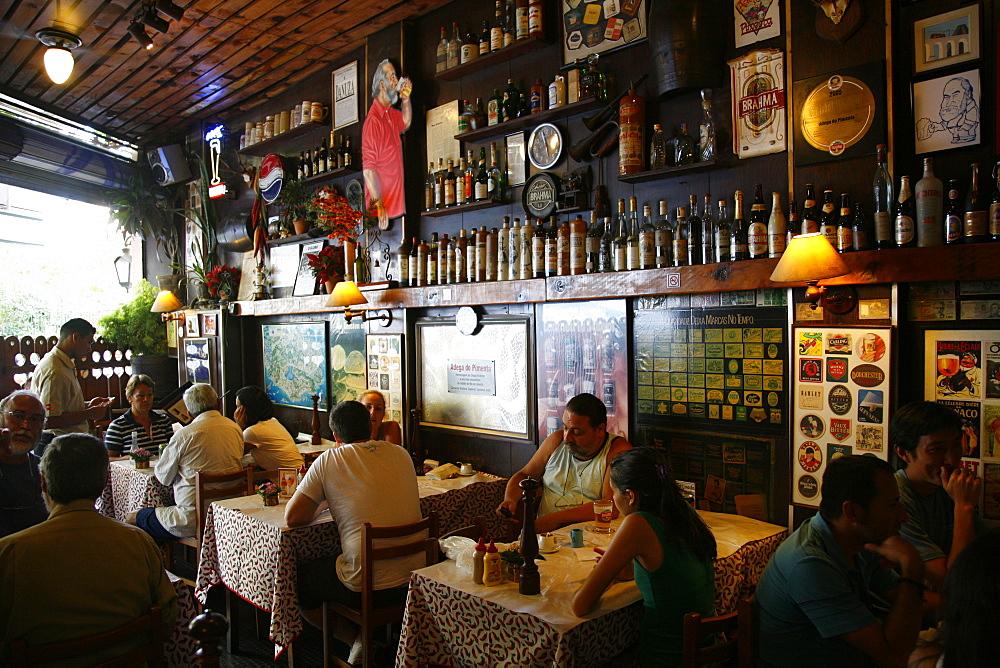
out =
column 151, row 653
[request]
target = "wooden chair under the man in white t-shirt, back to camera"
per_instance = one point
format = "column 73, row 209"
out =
column 368, row 616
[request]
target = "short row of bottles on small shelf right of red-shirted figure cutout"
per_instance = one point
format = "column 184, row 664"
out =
column 447, row 186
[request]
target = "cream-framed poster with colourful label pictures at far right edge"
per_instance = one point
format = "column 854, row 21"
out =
column 962, row 371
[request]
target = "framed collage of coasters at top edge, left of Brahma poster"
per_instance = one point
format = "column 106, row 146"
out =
column 600, row 27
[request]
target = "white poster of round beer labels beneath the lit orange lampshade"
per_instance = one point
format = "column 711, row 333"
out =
column 841, row 379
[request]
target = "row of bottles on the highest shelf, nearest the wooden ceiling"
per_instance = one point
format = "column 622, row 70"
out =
column 514, row 20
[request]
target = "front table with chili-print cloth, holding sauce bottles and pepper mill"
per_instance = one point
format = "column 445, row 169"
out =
column 450, row 620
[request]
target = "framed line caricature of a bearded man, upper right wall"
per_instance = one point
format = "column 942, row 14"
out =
column 946, row 112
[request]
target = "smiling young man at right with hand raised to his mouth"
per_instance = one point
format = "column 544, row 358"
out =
column 939, row 495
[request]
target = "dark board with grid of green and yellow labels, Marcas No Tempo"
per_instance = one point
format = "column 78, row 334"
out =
column 718, row 366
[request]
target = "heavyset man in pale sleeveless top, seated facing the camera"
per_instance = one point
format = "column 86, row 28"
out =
column 573, row 465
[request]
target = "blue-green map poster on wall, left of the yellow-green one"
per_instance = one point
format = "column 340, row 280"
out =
column 295, row 363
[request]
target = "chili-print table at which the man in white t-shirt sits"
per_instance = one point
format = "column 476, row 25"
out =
column 249, row 548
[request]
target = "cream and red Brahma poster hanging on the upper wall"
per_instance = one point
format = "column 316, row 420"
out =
column 758, row 90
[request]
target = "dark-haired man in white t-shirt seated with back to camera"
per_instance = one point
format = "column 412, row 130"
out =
column 362, row 481
